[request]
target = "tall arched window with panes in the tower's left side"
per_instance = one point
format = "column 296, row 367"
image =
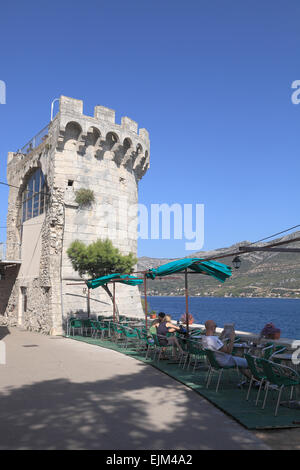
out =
column 34, row 196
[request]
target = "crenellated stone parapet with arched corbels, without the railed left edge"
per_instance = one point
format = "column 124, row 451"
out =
column 127, row 145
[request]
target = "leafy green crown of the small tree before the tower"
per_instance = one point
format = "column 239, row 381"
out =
column 99, row 259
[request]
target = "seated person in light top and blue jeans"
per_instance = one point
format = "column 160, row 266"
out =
column 223, row 352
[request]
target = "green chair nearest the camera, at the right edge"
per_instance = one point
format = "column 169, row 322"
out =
column 281, row 377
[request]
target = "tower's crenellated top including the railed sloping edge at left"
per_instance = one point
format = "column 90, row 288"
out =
column 124, row 143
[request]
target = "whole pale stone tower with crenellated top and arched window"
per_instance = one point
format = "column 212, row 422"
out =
column 74, row 152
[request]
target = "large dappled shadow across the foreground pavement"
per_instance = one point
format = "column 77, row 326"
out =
column 102, row 414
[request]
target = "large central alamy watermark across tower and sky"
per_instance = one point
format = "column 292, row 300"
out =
column 158, row 222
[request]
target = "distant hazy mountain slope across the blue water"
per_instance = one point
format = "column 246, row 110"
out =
column 261, row 274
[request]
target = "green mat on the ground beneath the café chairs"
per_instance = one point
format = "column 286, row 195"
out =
column 229, row 398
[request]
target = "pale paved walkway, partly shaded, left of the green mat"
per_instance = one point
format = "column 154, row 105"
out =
column 58, row 393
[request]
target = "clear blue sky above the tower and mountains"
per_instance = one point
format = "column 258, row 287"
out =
column 210, row 80
